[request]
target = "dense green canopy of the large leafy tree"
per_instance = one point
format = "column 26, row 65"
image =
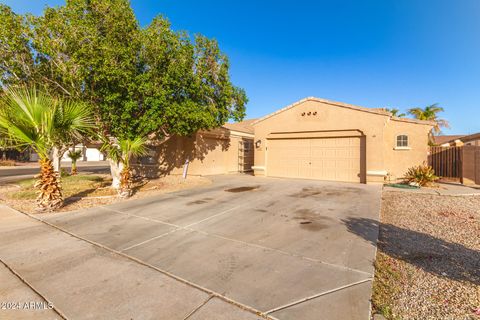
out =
column 142, row 81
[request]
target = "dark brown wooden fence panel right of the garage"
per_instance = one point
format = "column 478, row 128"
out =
column 446, row 161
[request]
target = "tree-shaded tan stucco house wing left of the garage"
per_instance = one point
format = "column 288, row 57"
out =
column 228, row 149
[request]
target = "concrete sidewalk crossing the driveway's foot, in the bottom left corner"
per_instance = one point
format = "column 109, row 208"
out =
column 85, row 281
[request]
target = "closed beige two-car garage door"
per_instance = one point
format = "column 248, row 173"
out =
column 336, row 159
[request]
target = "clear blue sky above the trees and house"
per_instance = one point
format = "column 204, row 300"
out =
column 372, row 53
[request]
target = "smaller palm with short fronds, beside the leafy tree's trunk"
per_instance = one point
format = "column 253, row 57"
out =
column 121, row 153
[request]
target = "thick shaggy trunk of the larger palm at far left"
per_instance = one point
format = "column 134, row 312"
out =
column 50, row 195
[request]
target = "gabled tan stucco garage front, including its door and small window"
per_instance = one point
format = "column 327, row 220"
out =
column 326, row 140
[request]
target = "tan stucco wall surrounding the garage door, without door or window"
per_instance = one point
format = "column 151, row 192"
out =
column 378, row 132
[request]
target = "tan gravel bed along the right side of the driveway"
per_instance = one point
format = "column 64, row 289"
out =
column 428, row 259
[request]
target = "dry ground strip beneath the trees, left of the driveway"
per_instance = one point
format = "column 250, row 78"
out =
column 89, row 190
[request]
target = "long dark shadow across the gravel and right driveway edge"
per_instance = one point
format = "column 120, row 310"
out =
column 433, row 255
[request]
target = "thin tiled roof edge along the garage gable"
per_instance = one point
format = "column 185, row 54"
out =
column 377, row 111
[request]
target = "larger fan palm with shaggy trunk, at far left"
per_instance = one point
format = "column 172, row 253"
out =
column 32, row 118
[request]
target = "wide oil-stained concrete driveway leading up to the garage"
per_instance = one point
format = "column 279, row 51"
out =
column 242, row 248
